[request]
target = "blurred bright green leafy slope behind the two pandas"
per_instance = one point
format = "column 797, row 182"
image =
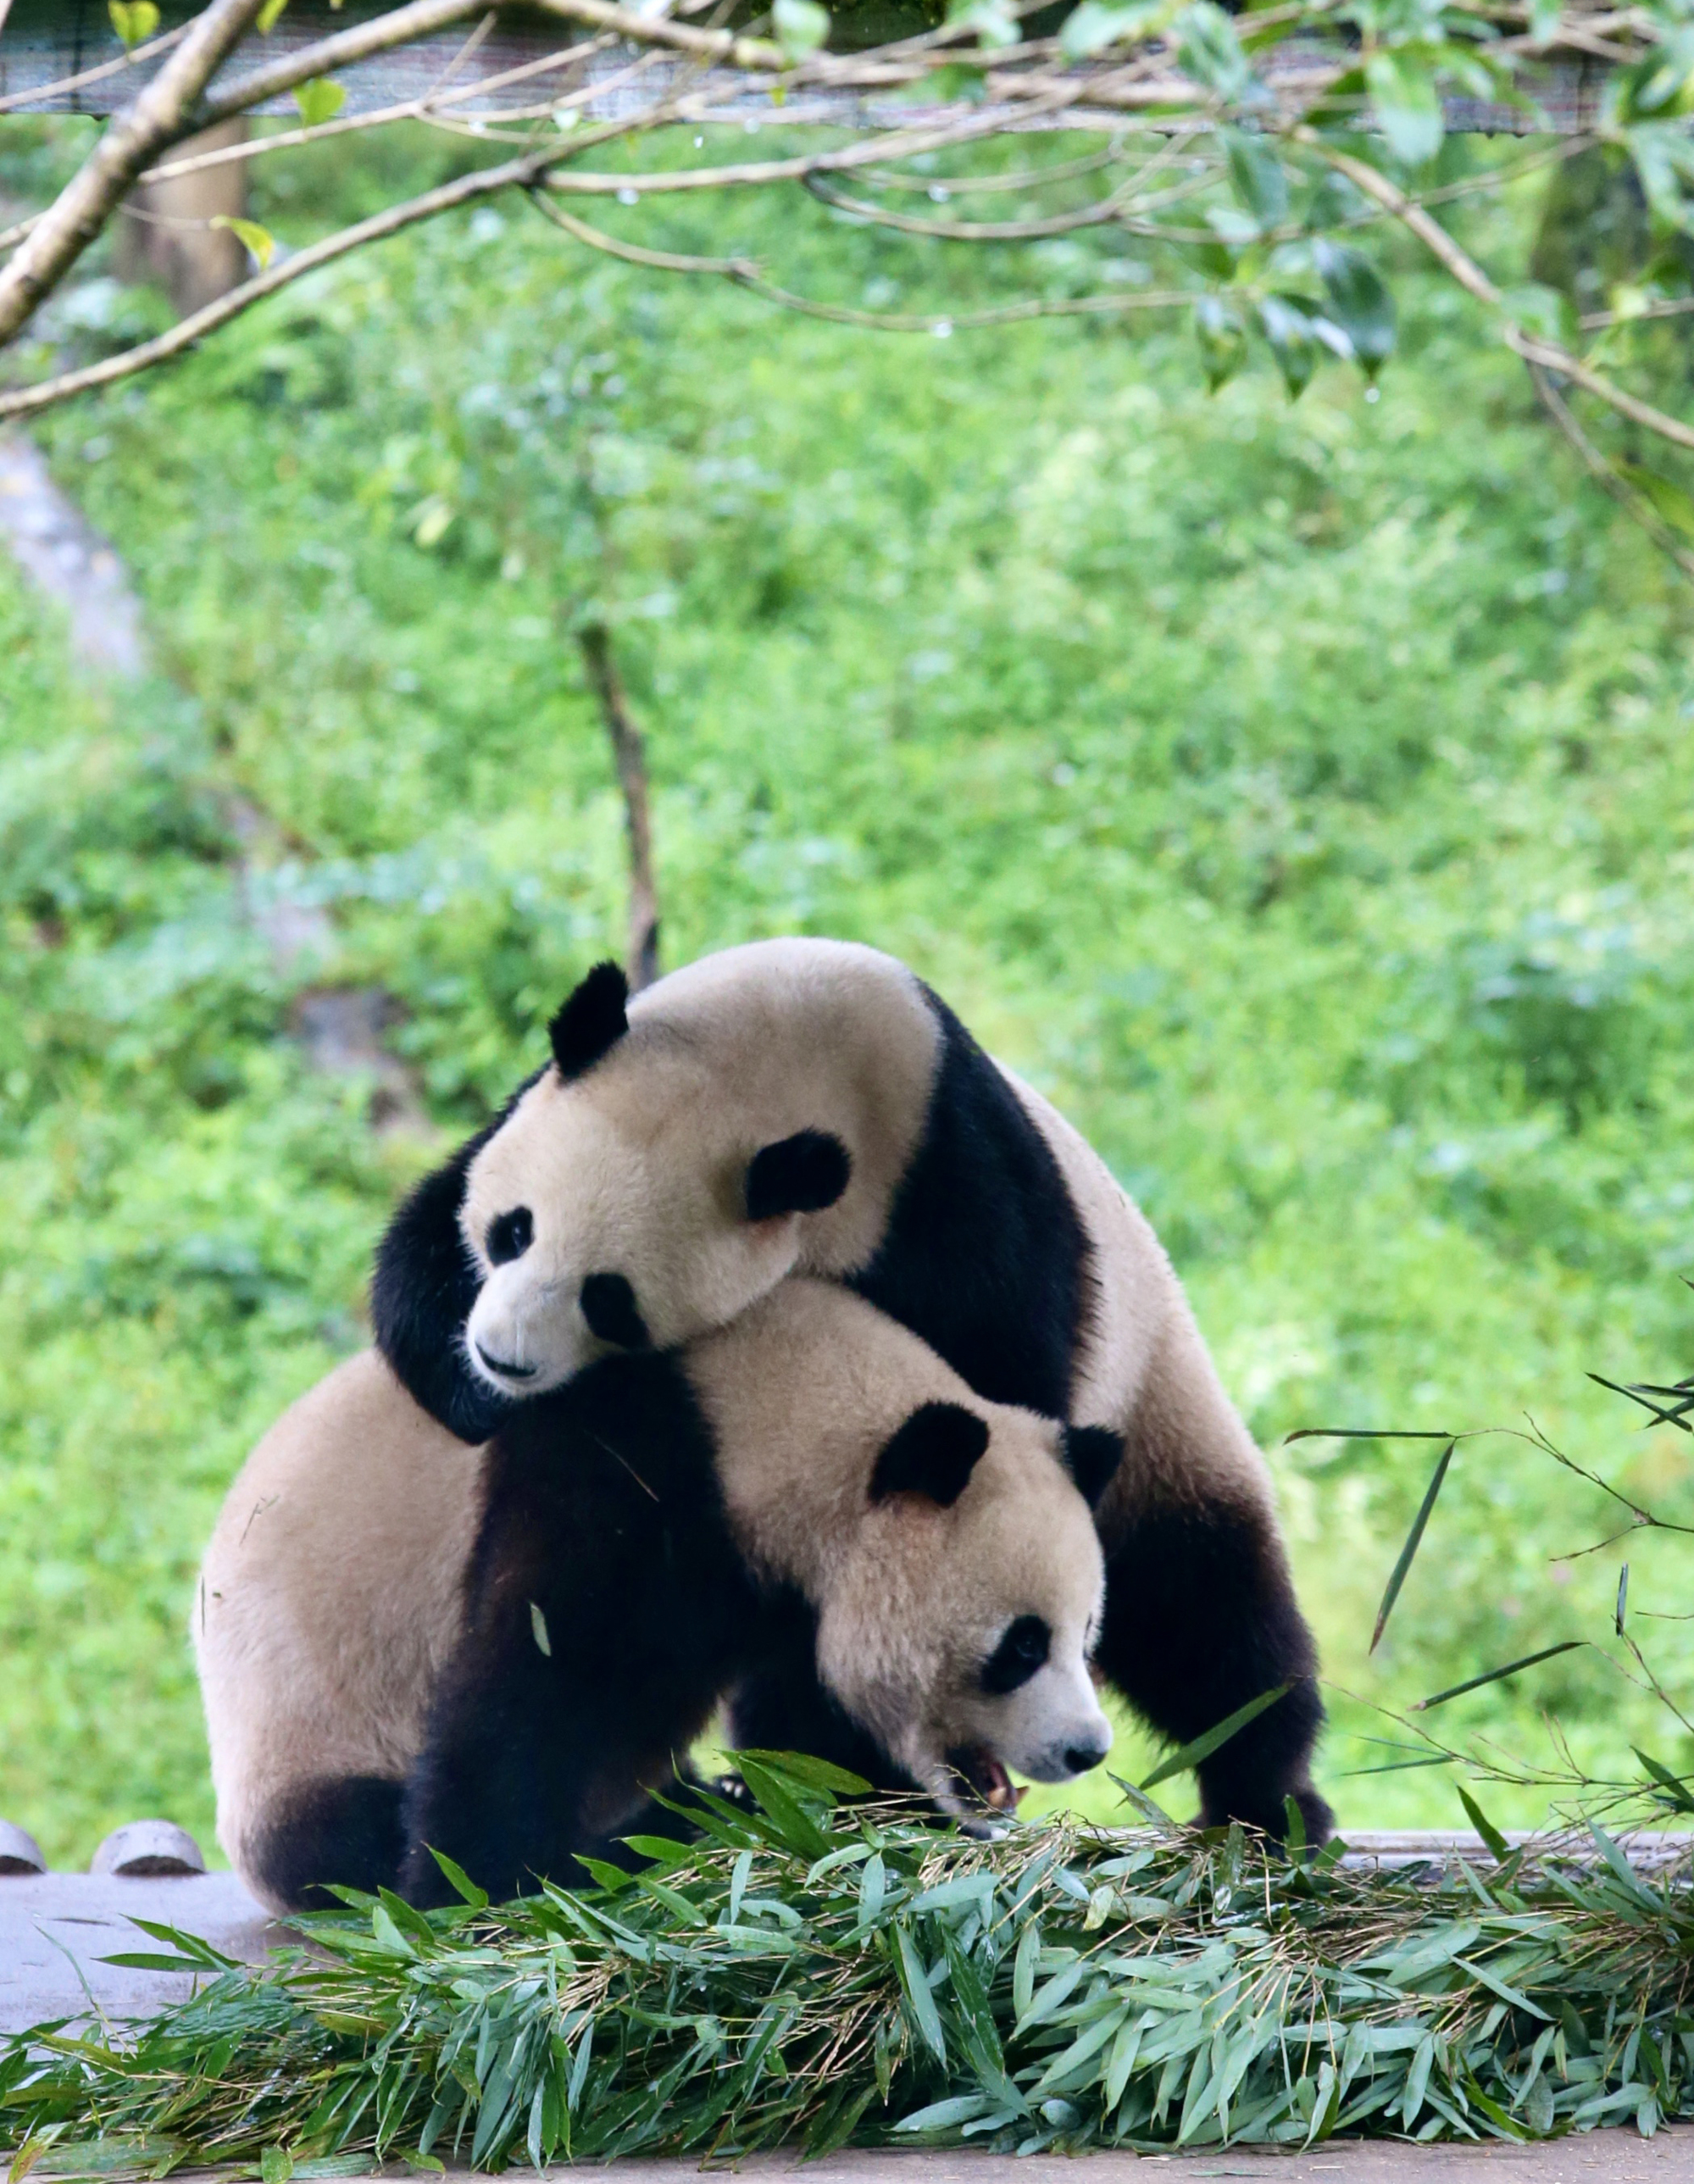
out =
column 1300, row 796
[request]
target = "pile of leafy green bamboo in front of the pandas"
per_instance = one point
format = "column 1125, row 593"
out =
column 813, row 1971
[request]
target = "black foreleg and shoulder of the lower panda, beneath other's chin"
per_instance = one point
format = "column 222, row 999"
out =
column 606, row 1611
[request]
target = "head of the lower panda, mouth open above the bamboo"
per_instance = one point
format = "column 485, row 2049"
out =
column 962, row 1622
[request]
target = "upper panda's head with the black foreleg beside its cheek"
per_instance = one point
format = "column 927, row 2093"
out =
column 619, row 1204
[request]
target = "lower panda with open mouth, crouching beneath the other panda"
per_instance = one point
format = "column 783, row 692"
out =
column 403, row 1648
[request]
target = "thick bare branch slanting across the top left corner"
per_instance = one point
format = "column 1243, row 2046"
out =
column 160, row 117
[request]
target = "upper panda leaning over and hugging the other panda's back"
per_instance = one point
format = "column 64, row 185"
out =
column 809, row 1106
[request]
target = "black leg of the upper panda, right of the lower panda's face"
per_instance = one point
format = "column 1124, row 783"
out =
column 1202, row 1619
